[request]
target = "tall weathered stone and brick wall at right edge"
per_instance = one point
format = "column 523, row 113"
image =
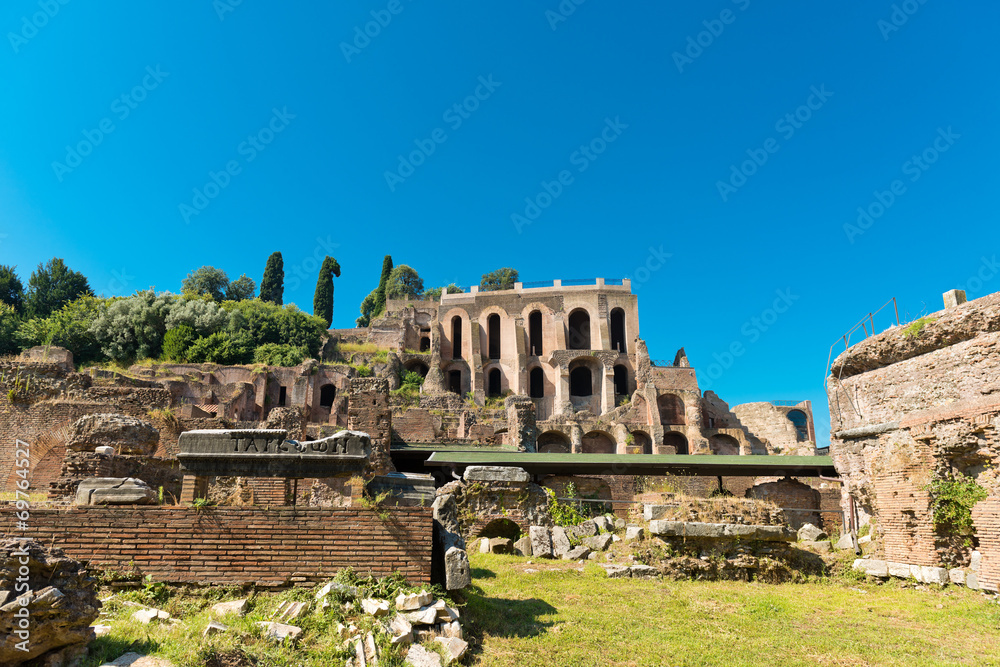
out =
column 916, row 404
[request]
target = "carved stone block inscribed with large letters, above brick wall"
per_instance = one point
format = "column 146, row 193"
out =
column 268, row 453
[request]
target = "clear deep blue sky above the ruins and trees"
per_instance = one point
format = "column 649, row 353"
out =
column 647, row 112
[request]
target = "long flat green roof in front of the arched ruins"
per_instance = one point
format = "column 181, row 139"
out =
column 641, row 464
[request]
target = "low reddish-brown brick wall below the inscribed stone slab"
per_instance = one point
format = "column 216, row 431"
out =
column 266, row 547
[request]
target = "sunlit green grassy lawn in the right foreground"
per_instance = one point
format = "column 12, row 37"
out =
column 561, row 616
